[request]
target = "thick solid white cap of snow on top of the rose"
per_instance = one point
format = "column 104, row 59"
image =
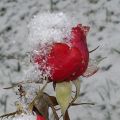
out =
column 48, row 28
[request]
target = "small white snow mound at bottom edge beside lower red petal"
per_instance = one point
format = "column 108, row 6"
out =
column 25, row 117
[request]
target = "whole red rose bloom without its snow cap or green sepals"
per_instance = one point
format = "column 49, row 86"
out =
column 67, row 61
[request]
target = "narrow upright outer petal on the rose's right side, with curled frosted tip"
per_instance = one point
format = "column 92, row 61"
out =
column 79, row 40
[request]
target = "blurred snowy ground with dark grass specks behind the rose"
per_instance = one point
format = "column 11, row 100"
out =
column 103, row 17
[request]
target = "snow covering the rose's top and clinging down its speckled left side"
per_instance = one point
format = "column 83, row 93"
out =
column 45, row 29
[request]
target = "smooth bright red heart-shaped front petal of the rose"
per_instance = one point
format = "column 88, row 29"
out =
column 64, row 61
